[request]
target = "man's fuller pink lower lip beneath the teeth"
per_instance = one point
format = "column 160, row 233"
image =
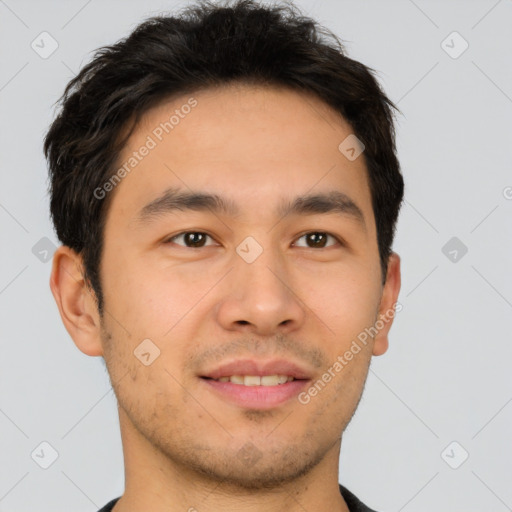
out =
column 257, row 397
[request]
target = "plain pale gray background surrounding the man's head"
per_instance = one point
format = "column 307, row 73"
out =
column 446, row 376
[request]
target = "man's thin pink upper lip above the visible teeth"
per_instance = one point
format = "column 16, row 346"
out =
column 259, row 368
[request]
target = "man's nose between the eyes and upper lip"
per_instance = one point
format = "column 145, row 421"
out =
column 261, row 298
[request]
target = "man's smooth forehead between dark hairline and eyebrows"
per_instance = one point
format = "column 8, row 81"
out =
column 252, row 145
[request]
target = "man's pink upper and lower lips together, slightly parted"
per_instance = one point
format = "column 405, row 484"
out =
column 257, row 397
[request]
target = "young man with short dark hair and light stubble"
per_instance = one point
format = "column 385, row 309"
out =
column 226, row 188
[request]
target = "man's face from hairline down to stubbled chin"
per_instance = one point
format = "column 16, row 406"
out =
column 257, row 282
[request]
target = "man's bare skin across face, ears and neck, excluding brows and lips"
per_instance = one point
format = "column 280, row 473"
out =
column 205, row 305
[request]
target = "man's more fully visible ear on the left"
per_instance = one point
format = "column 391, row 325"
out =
column 76, row 301
